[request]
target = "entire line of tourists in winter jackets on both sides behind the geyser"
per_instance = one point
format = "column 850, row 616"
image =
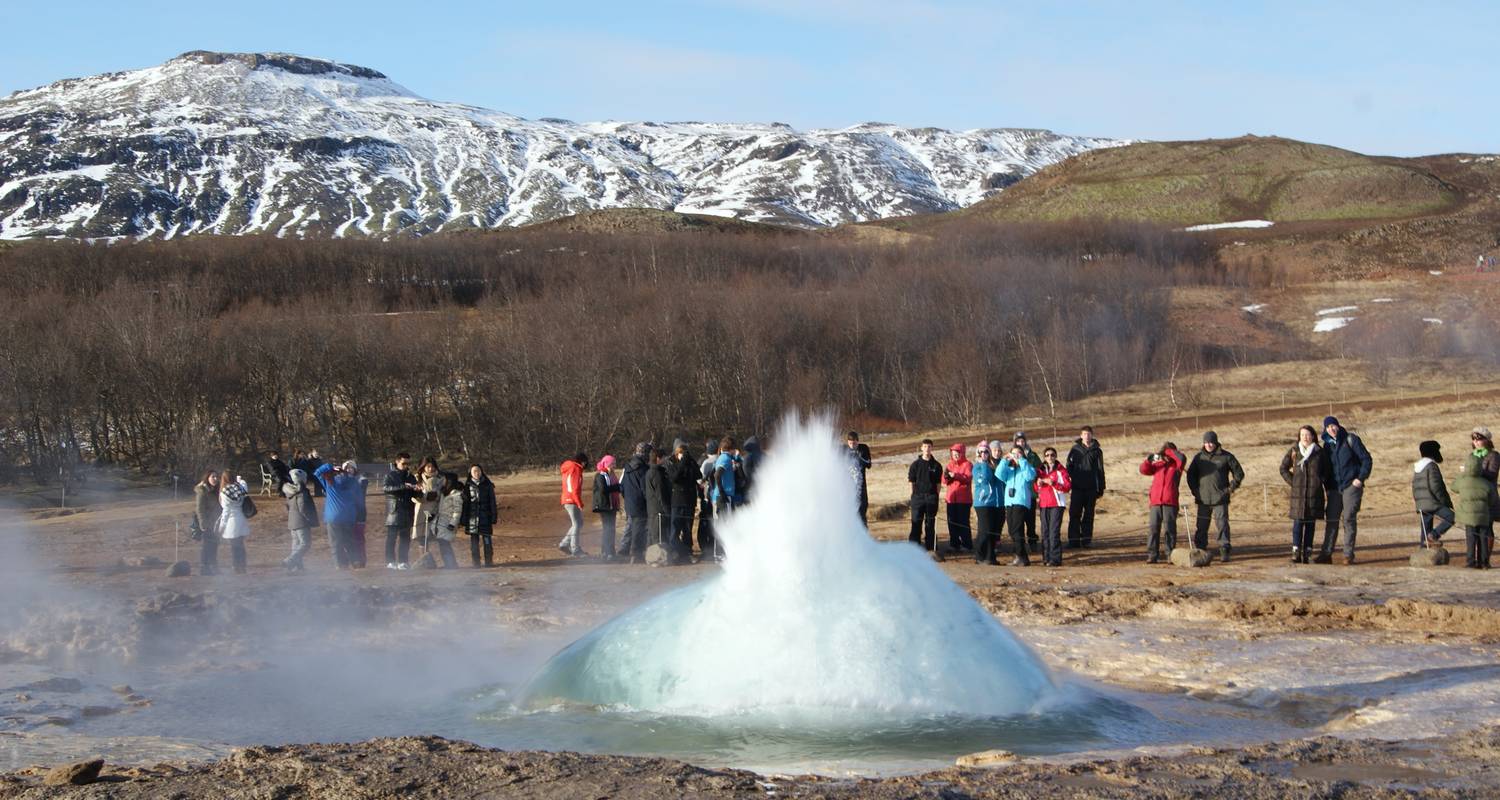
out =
column 664, row 493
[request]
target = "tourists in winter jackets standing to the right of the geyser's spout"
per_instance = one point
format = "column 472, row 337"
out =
column 1013, row 487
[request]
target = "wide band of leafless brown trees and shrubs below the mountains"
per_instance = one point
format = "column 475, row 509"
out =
column 517, row 347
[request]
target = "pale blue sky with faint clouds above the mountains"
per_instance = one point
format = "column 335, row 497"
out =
column 1400, row 79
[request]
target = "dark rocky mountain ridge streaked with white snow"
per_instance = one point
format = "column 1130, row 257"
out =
column 293, row 146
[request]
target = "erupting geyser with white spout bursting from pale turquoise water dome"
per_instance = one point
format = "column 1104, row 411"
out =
column 809, row 619
